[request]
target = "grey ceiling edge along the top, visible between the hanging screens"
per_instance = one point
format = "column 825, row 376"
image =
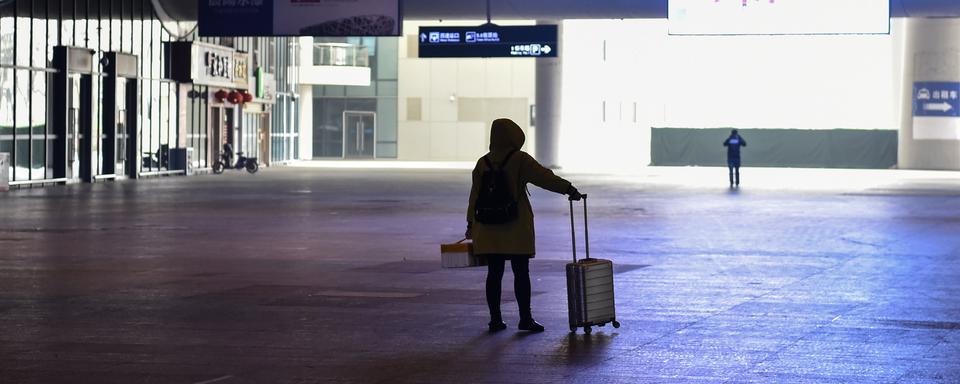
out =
column 568, row 9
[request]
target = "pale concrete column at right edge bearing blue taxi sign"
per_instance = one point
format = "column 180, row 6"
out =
column 931, row 53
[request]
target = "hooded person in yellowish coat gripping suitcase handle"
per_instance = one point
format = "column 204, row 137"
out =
column 513, row 240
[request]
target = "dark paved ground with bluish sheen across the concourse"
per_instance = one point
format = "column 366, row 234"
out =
column 319, row 275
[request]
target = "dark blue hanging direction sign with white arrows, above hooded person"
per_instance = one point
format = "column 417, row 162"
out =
column 489, row 40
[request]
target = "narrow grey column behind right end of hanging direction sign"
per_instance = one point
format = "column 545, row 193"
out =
column 549, row 85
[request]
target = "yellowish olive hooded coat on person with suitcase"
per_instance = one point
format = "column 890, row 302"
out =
column 516, row 237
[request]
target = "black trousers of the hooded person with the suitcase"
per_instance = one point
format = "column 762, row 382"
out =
column 521, row 284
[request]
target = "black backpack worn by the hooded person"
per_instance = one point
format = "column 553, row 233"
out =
column 496, row 204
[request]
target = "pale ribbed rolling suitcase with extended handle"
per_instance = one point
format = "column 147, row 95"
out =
column 589, row 285
